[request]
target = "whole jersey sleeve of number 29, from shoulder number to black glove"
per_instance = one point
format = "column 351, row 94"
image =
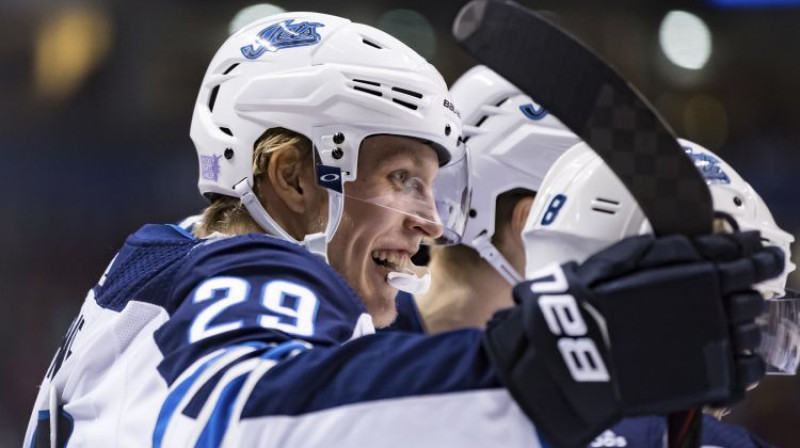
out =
column 249, row 365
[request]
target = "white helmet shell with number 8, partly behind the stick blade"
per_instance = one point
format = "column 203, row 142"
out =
column 583, row 207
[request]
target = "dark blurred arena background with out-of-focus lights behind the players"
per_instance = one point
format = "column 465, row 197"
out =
column 96, row 100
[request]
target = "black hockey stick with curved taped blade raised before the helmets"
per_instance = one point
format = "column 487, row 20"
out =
column 604, row 110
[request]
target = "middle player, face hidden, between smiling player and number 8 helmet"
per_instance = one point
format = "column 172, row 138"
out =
column 513, row 143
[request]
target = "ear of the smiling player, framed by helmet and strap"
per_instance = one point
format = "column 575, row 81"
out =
column 285, row 172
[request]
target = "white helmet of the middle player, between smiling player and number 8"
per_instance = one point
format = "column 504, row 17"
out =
column 512, row 143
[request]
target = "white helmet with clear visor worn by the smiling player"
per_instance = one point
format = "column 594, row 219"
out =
column 331, row 80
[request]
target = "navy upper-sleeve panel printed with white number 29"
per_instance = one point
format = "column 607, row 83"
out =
column 253, row 288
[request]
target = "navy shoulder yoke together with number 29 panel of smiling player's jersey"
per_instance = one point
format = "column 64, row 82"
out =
column 228, row 290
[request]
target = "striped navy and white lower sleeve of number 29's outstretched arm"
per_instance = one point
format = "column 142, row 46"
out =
column 394, row 389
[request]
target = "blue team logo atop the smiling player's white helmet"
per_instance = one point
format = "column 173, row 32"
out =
column 286, row 34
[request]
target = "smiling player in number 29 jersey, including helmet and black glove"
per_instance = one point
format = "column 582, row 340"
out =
column 319, row 139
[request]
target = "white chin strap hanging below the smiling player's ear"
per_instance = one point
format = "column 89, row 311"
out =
column 316, row 243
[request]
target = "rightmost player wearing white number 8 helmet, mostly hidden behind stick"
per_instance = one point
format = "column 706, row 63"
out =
column 583, row 207
